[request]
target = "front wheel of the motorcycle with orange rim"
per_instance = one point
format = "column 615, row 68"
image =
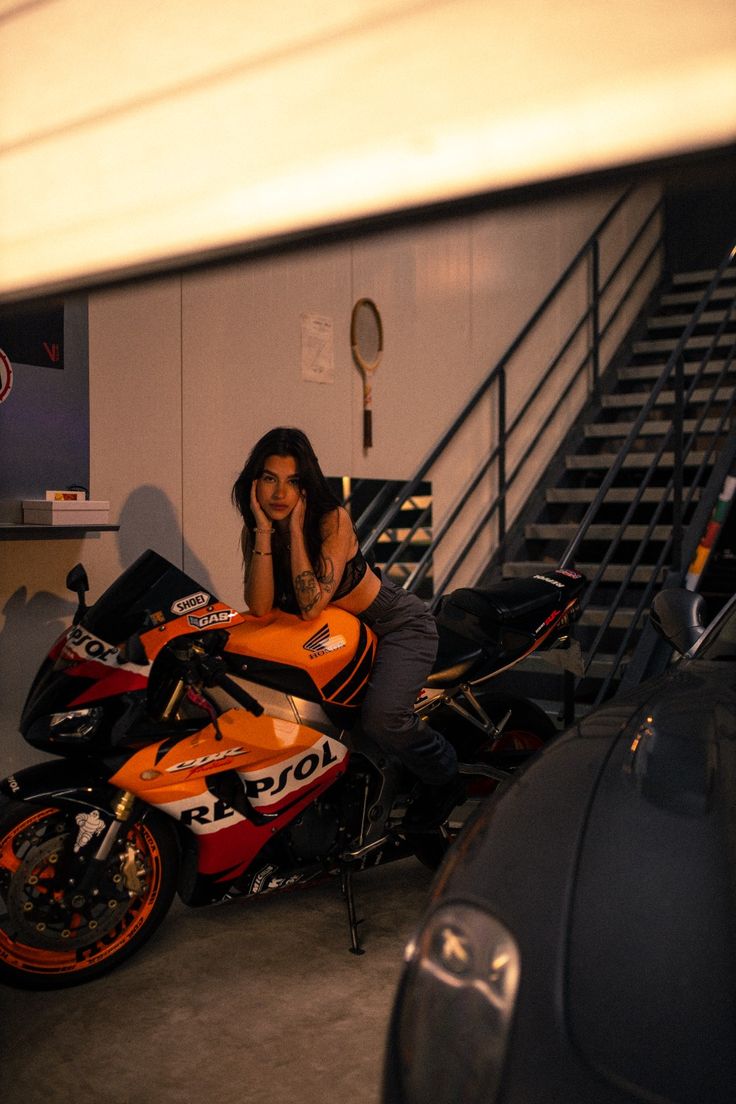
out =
column 51, row 939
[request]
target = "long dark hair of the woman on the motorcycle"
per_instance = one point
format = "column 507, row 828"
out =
column 286, row 441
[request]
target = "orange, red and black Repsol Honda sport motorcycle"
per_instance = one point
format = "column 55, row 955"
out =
column 214, row 753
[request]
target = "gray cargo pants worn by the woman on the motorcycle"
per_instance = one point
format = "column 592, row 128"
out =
column 408, row 646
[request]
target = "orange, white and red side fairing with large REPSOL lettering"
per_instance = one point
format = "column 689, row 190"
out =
column 281, row 766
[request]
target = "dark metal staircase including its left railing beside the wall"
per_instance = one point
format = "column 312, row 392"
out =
column 630, row 491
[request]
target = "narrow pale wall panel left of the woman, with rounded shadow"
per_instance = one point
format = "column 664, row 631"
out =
column 135, row 416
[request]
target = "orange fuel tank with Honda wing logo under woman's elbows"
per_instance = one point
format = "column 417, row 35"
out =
column 336, row 651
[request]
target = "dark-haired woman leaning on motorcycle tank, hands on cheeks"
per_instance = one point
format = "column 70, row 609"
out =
column 301, row 553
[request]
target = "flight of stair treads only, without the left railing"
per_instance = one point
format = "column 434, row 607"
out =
column 632, row 501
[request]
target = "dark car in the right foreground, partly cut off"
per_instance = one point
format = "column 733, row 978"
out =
column 581, row 940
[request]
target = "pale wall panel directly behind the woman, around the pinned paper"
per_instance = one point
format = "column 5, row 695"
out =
column 242, row 371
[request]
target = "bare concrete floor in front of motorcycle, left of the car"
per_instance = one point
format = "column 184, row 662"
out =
column 246, row 1003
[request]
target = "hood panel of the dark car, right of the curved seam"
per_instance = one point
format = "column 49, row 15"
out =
column 652, row 929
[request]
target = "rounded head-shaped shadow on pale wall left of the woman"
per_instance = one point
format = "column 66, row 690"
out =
column 148, row 521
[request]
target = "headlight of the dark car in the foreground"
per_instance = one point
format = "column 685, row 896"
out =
column 455, row 1010
